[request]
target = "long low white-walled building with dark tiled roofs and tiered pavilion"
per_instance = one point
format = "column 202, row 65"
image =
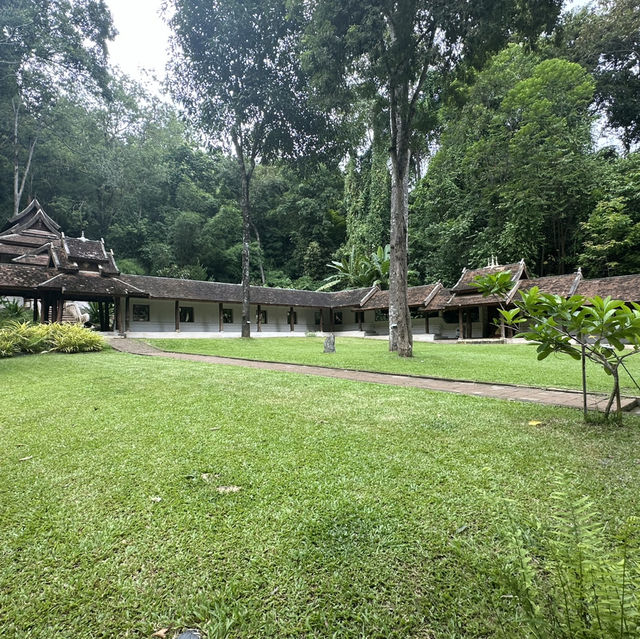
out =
column 39, row 264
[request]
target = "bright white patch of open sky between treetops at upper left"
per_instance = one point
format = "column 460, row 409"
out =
column 140, row 48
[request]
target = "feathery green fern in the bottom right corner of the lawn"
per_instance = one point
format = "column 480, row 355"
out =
column 566, row 581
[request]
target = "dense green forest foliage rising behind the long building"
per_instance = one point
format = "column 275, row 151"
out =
column 515, row 173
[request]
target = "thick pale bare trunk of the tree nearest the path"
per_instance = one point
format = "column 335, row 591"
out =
column 400, row 337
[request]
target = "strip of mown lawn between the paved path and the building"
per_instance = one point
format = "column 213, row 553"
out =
column 499, row 363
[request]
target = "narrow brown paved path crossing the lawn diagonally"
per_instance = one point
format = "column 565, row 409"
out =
column 508, row 392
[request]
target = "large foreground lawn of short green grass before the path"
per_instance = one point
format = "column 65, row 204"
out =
column 362, row 510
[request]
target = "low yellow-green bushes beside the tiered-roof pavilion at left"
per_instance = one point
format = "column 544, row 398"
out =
column 22, row 337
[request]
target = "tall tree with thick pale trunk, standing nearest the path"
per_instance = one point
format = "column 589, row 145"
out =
column 390, row 49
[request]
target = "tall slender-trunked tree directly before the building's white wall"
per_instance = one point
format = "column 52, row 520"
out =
column 236, row 69
